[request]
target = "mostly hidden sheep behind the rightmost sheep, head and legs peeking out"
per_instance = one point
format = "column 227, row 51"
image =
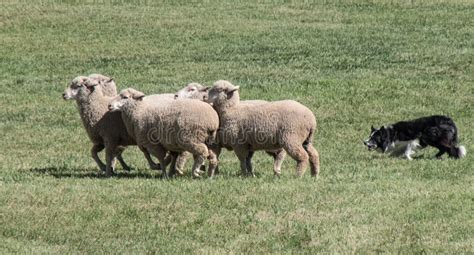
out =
column 198, row 91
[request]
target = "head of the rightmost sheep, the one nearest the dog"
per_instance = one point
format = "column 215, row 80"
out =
column 223, row 93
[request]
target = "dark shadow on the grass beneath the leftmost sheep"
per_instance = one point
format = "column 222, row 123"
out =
column 79, row 173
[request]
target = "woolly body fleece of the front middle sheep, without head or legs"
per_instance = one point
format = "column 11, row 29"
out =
column 172, row 123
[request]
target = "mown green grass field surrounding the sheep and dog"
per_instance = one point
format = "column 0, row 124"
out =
column 354, row 63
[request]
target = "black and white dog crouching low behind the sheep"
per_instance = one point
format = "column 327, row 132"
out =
column 437, row 131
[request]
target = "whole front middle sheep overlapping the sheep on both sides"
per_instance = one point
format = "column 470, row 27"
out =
column 173, row 126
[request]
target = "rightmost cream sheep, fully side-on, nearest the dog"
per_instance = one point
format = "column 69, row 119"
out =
column 275, row 125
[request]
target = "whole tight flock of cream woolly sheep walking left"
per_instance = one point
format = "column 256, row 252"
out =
column 196, row 120
